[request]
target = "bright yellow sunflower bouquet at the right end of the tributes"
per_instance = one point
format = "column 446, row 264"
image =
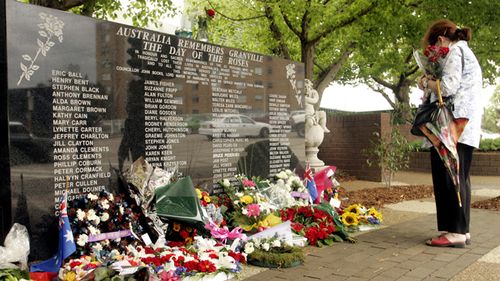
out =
column 355, row 216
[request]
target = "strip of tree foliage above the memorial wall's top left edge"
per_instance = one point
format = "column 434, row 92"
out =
column 141, row 12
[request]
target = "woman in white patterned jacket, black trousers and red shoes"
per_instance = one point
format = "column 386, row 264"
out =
column 461, row 79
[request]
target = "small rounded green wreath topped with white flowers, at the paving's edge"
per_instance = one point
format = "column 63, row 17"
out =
column 273, row 252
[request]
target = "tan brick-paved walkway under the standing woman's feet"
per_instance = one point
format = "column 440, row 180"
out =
column 398, row 252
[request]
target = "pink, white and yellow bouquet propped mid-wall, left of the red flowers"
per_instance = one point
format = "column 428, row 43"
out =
column 251, row 208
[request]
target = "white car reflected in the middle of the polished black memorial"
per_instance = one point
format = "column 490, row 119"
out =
column 235, row 125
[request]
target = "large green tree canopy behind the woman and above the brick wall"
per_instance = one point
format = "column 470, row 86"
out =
column 353, row 41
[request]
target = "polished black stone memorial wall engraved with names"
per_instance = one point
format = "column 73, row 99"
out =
column 82, row 99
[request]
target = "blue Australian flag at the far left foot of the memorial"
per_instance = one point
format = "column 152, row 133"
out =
column 66, row 243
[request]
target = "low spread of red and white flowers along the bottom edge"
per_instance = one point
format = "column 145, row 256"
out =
column 204, row 258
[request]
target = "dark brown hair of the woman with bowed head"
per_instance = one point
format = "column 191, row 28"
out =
column 445, row 28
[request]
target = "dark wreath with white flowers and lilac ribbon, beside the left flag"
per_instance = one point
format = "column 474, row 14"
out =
column 103, row 223
